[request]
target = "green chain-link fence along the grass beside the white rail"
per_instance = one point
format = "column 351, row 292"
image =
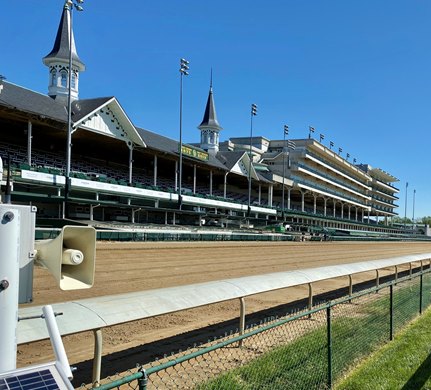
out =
column 309, row 349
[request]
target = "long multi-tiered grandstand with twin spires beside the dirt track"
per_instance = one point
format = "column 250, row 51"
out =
column 123, row 173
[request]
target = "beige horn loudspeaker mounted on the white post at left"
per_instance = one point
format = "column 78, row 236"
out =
column 70, row 258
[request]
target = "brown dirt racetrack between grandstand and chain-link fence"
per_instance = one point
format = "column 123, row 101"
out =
column 127, row 267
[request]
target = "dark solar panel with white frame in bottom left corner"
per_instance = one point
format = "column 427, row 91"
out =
column 41, row 377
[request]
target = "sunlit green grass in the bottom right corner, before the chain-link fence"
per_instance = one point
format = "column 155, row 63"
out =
column 403, row 364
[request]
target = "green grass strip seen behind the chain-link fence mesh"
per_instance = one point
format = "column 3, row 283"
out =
column 357, row 333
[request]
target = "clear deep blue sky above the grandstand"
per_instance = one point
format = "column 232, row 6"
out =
column 357, row 71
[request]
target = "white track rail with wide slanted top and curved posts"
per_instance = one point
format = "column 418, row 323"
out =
column 93, row 314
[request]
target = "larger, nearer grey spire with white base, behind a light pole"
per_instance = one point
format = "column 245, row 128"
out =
column 58, row 60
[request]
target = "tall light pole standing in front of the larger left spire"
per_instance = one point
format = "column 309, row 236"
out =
column 69, row 5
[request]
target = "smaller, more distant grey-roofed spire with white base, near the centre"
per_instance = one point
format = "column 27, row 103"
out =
column 210, row 127
